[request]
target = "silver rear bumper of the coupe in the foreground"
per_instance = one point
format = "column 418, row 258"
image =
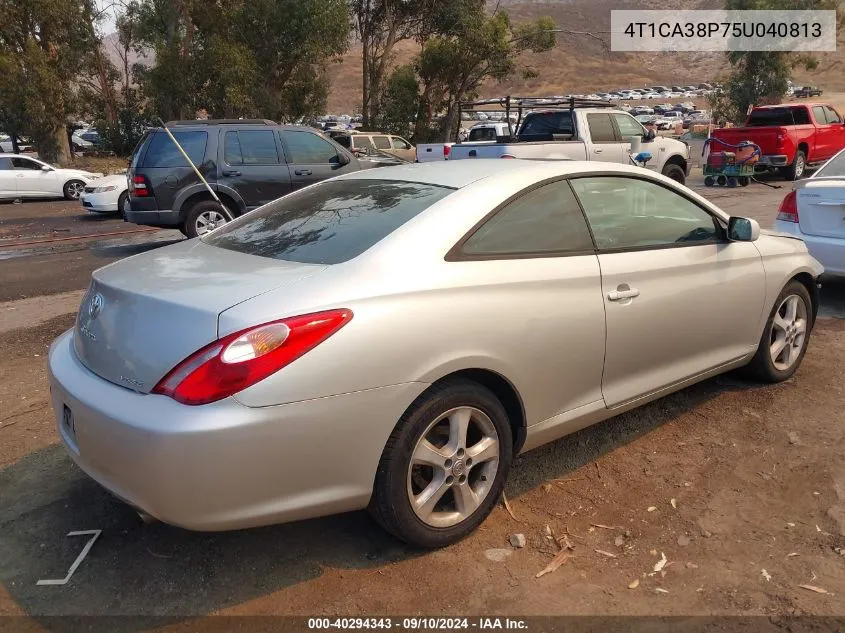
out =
column 224, row 465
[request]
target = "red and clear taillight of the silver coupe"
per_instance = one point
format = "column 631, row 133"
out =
column 240, row 360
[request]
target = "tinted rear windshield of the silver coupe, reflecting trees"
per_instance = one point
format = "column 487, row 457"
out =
column 327, row 224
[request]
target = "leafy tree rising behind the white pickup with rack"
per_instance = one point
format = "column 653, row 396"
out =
column 454, row 67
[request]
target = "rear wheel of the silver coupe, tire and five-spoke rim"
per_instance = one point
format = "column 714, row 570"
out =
column 444, row 466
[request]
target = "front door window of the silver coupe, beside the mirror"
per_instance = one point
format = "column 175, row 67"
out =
column 633, row 213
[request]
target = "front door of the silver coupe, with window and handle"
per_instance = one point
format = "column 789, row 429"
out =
column 679, row 298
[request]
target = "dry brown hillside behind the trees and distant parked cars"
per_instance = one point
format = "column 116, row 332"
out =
column 581, row 64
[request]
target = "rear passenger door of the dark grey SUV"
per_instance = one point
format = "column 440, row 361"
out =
column 251, row 165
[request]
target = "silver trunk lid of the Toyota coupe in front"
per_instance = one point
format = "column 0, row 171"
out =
column 143, row 315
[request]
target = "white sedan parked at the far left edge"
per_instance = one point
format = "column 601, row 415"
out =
column 29, row 177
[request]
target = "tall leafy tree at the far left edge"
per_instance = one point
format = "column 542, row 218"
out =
column 44, row 46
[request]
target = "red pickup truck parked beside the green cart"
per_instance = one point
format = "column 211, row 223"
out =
column 792, row 137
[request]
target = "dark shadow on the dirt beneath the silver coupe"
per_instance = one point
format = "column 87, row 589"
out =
column 137, row 569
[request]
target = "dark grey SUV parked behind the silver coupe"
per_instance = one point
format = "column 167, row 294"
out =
column 247, row 162
